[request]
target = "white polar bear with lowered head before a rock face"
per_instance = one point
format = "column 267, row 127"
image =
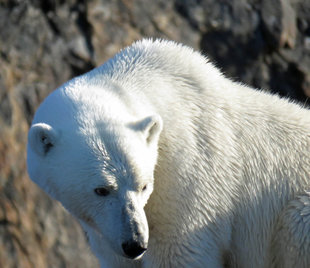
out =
column 165, row 162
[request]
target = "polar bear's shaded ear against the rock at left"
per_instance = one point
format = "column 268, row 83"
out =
column 42, row 138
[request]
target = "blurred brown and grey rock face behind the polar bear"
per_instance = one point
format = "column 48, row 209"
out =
column 44, row 43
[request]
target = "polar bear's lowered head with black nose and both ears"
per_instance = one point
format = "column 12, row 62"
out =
column 88, row 152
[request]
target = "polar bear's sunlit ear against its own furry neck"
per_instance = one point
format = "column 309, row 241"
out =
column 150, row 127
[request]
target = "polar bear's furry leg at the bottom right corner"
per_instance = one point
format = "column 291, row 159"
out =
column 291, row 242
